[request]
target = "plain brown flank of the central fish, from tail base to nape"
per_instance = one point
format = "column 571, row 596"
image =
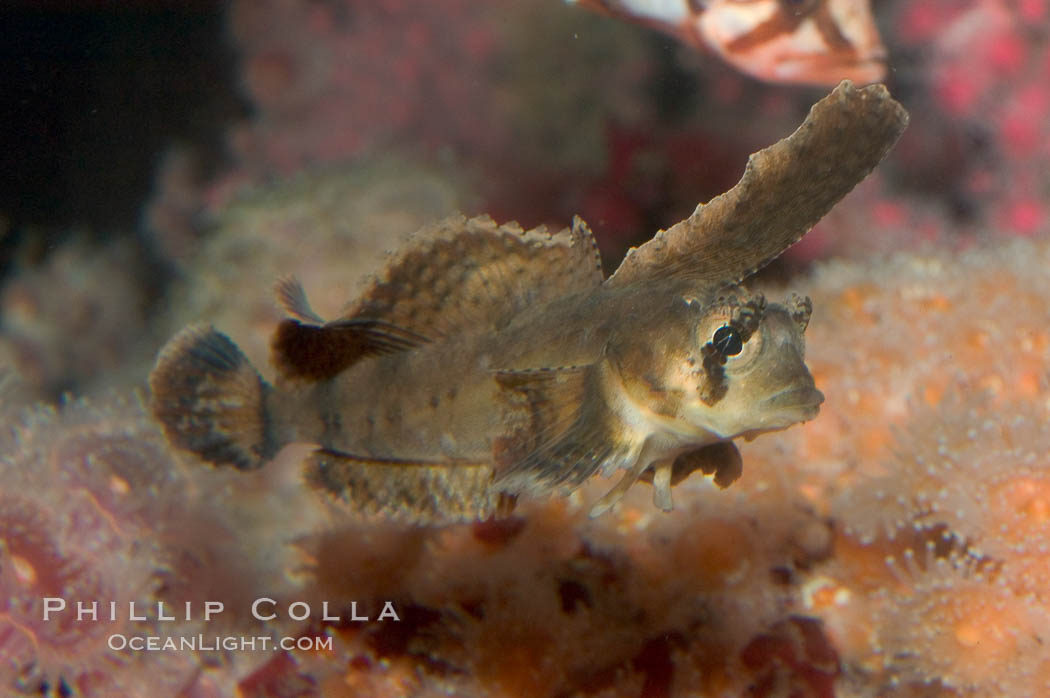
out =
column 443, row 401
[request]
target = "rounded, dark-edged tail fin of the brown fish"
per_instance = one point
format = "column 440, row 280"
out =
column 212, row 400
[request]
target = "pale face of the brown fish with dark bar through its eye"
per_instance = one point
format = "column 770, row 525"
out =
column 749, row 368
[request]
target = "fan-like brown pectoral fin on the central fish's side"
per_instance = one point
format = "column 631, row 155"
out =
column 568, row 432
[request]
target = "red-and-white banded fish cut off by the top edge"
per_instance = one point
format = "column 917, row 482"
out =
column 812, row 43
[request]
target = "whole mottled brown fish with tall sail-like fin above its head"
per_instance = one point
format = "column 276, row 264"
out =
column 490, row 363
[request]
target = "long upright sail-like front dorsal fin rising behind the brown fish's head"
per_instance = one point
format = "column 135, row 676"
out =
column 786, row 189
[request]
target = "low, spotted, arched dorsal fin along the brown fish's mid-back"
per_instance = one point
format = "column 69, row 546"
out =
column 470, row 274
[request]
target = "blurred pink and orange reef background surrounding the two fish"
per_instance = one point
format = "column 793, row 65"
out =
column 163, row 163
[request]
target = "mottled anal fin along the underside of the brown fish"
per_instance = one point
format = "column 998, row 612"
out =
column 409, row 492
